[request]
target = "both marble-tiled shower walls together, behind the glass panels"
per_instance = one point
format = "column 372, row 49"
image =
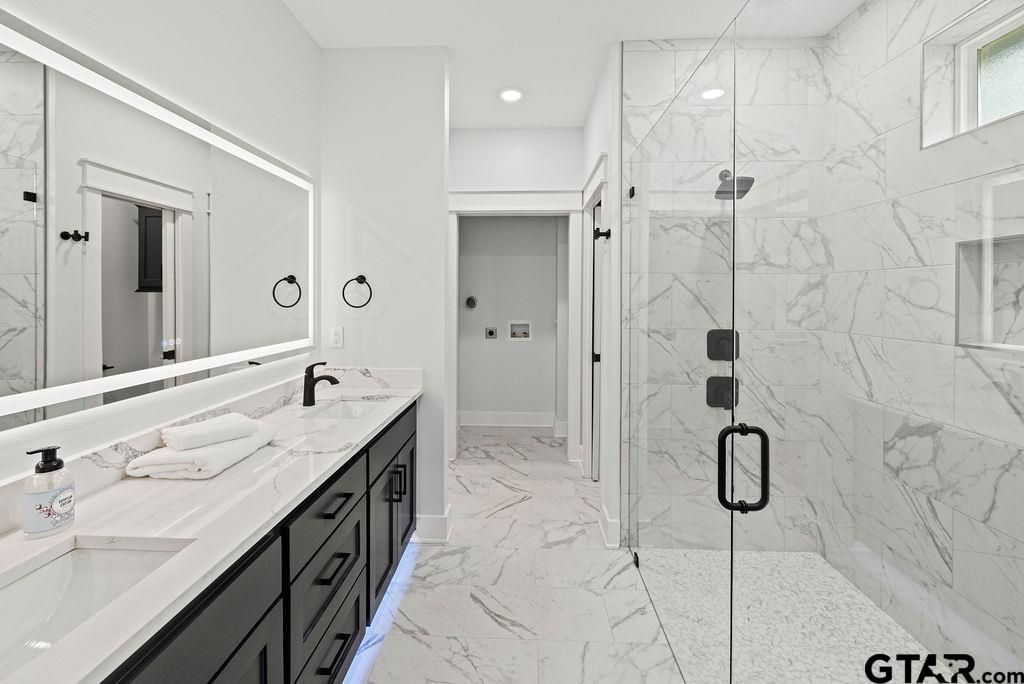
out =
column 902, row 455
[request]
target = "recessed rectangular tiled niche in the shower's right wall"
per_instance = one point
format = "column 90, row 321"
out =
column 991, row 293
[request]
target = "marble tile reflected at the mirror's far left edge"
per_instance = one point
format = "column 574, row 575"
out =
column 21, row 229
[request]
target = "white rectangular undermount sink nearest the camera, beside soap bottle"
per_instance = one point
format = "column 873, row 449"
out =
column 51, row 594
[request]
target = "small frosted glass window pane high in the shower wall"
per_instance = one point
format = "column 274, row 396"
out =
column 1001, row 77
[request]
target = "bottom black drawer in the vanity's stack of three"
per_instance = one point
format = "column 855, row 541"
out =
column 335, row 652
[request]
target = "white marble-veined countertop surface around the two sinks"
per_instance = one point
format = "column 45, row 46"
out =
column 225, row 517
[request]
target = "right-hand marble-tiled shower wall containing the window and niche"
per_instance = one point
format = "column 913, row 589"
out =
column 925, row 440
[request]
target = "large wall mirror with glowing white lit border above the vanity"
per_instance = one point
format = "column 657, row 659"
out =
column 141, row 248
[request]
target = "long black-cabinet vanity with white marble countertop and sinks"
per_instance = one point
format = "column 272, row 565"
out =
column 269, row 572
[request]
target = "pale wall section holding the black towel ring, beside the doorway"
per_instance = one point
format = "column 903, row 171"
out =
column 386, row 216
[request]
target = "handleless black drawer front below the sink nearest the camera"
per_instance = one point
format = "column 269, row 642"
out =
column 215, row 626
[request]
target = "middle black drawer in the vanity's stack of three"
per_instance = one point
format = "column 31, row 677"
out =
column 324, row 584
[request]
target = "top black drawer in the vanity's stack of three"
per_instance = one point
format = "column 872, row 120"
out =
column 311, row 528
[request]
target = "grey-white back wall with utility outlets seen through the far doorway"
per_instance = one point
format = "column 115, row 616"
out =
column 510, row 265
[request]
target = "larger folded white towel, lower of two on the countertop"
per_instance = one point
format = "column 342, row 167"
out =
column 198, row 464
